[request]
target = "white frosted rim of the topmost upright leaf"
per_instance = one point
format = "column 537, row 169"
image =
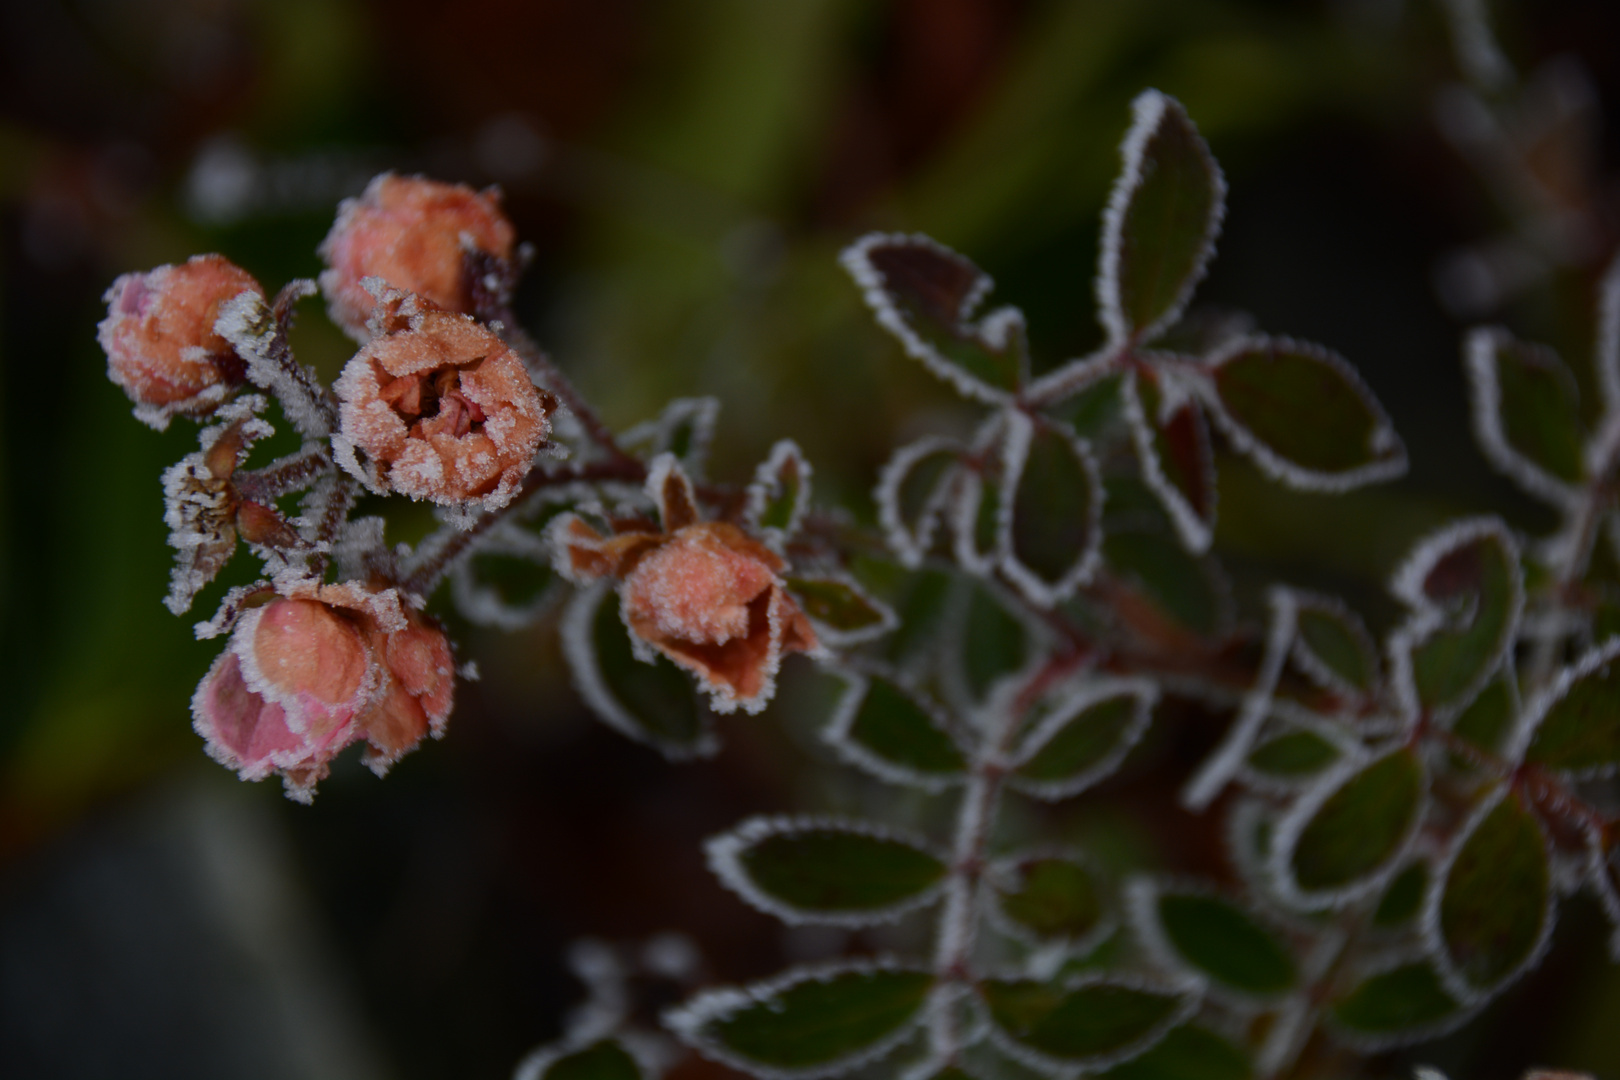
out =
column 1148, row 113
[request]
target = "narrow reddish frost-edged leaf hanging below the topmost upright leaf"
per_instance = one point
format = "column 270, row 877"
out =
column 1185, row 435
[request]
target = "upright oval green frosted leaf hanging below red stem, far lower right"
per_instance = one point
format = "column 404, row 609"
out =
column 1496, row 901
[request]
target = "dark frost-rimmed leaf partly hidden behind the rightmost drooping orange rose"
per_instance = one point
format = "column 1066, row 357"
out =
column 652, row 704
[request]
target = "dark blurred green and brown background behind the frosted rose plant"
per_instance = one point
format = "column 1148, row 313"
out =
column 688, row 172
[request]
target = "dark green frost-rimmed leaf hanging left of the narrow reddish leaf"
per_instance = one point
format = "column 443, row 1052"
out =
column 1049, row 538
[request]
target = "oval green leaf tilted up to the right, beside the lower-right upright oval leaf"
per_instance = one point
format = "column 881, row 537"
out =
column 1337, row 841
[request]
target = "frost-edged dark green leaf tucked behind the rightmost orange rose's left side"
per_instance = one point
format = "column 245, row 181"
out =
column 582, row 632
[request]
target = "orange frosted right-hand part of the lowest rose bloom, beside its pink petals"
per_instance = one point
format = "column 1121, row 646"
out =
column 416, row 700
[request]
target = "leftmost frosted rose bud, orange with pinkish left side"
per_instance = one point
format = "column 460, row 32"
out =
column 161, row 342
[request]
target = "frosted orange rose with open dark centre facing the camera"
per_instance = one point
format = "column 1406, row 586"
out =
column 441, row 409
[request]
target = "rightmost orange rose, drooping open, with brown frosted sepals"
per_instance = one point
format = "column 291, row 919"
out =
column 704, row 593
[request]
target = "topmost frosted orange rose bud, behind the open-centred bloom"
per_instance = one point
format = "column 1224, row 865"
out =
column 416, row 234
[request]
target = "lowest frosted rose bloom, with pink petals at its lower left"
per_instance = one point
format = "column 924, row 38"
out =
column 320, row 668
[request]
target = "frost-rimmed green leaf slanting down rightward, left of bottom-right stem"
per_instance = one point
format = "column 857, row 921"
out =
column 1271, row 966
